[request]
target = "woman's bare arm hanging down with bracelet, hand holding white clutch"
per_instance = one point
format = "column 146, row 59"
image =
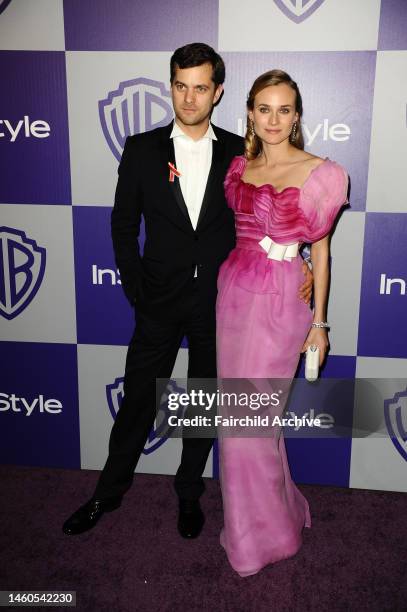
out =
column 320, row 269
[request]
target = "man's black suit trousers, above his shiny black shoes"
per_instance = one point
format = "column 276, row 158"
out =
column 151, row 354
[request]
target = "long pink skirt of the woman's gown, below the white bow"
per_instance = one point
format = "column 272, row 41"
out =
column 261, row 327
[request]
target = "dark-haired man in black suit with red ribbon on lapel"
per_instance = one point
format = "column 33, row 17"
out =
column 173, row 177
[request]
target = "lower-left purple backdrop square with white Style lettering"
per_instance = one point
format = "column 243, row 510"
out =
column 39, row 405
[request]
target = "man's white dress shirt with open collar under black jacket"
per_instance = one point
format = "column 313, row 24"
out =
column 193, row 160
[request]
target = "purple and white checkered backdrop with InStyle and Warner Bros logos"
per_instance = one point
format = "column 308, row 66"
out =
column 77, row 77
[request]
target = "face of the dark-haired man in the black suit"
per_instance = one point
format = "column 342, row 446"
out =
column 194, row 94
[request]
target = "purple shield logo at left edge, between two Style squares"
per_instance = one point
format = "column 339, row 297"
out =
column 22, row 267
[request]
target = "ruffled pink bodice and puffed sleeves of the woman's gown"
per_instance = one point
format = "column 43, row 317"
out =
column 294, row 214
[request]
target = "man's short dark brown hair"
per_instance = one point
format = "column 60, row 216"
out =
column 196, row 54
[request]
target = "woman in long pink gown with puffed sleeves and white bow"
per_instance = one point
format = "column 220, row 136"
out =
column 281, row 197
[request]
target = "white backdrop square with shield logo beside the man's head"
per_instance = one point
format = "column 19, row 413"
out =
column 90, row 78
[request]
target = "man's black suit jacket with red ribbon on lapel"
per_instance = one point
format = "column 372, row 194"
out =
column 157, row 281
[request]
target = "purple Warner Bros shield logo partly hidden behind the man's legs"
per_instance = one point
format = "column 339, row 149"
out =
column 114, row 395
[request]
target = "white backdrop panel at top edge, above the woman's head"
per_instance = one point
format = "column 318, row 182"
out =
column 265, row 25
